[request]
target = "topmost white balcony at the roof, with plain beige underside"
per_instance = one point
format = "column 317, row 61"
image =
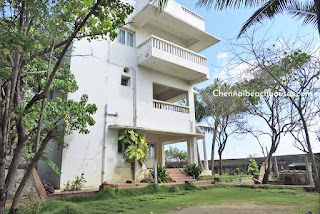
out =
column 176, row 20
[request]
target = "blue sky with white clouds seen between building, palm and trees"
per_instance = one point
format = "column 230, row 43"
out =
column 226, row 25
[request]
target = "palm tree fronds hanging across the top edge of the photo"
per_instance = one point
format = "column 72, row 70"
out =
column 307, row 10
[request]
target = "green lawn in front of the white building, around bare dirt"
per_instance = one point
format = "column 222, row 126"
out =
column 162, row 199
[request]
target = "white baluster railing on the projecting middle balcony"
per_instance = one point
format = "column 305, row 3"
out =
column 161, row 44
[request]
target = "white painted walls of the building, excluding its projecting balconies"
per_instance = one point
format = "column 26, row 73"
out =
column 99, row 76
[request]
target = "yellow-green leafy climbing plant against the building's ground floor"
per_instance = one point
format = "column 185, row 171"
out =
column 136, row 146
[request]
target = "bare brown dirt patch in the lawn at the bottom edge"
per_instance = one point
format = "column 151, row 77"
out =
column 236, row 208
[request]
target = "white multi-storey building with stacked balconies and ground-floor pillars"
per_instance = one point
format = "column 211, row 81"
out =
column 136, row 82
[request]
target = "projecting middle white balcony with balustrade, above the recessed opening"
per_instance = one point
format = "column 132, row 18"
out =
column 160, row 55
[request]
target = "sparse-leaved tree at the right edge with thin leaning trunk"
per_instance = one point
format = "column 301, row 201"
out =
column 291, row 69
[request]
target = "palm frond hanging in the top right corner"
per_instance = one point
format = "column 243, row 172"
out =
column 305, row 11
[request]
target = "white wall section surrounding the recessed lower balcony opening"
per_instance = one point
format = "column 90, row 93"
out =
column 149, row 117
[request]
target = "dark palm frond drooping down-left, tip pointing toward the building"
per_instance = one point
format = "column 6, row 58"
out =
column 269, row 10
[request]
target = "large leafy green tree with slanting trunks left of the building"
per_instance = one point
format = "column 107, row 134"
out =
column 35, row 39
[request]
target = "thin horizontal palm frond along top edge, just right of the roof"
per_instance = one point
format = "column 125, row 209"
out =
column 234, row 4
